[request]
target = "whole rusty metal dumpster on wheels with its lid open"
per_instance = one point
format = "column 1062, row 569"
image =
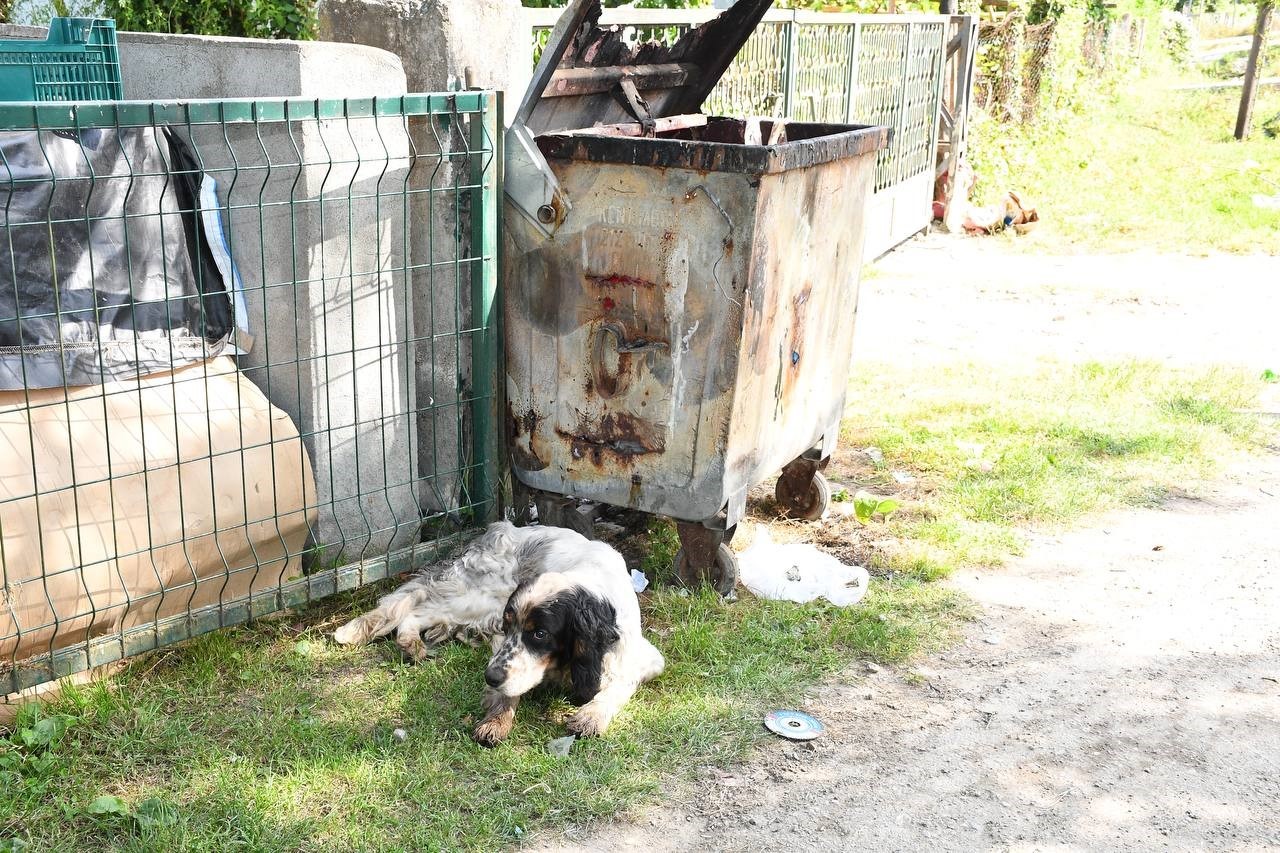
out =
column 680, row 289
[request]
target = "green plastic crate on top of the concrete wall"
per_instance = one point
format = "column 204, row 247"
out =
column 79, row 62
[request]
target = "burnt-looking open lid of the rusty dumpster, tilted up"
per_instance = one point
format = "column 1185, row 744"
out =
column 591, row 75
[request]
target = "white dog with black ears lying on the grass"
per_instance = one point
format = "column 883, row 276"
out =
column 552, row 603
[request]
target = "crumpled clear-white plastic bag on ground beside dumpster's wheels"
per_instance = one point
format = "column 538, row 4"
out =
column 799, row 573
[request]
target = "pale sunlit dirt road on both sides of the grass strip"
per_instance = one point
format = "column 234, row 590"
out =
column 1122, row 690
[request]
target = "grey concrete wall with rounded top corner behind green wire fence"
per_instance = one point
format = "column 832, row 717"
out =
column 333, row 350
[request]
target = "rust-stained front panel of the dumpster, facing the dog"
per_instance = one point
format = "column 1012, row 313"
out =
column 623, row 337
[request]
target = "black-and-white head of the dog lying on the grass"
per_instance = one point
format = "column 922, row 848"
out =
column 551, row 624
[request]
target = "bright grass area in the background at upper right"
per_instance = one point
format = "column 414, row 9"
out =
column 1148, row 168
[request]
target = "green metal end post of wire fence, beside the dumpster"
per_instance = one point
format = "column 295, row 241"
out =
column 486, row 352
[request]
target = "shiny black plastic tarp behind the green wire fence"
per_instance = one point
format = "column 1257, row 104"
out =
column 106, row 272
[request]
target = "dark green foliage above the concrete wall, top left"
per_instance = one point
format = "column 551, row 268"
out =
column 245, row 19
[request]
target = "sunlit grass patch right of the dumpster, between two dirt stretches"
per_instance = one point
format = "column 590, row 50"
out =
column 996, row 451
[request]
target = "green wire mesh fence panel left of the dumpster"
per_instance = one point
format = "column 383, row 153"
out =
column 346, row 432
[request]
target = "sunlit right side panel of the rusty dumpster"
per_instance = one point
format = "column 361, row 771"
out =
column 799, row 316
